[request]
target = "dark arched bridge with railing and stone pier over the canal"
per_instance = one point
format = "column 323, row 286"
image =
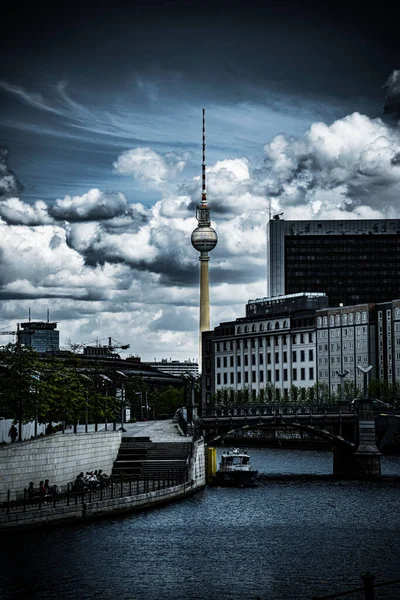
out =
column 351, row 429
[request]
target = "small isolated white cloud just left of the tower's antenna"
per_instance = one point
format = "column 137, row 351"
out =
column 150, row 167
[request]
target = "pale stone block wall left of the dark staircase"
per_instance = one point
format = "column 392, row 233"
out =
column 57, row 457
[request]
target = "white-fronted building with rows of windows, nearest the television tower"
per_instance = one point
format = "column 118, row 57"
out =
column 272, row 347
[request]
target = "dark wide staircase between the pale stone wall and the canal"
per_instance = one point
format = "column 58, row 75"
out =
column 138, row 456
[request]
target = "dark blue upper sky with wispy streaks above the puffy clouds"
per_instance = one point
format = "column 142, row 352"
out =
column 137, row 74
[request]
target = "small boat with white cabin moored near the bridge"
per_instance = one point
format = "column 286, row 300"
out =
column 235, row 469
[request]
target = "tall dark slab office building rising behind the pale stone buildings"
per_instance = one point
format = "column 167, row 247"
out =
column 352, row 261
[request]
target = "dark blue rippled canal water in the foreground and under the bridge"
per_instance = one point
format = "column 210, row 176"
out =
column 284, row 540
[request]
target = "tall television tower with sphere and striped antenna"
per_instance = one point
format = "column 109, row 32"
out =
column 204, row 239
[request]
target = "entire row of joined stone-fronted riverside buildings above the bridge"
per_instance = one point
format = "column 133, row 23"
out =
column 297, row 340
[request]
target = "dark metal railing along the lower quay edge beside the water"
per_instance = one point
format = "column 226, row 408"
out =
column 16, row 502
